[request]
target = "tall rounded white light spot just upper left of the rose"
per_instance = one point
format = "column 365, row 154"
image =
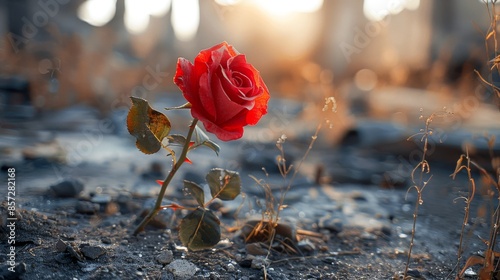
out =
column 185, row 18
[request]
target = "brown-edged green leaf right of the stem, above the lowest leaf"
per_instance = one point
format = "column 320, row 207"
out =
column 224, row 184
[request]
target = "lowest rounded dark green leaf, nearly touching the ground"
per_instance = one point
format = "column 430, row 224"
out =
column 199, row 230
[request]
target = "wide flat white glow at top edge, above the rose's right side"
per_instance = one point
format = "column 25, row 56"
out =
column 283, row 7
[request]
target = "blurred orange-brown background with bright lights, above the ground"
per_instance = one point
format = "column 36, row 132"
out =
column 97, row 51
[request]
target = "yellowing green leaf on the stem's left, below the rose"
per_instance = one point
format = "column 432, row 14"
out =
column 148, row 126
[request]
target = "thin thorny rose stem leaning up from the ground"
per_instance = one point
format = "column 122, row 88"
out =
column 171, row 174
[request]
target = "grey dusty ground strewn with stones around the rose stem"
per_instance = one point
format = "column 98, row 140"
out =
column 356, row 224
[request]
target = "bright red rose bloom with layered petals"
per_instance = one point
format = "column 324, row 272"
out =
column 226, row 93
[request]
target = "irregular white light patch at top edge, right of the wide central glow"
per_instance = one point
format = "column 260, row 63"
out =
column 376, row 10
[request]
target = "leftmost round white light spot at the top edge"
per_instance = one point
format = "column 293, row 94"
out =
column 97, row 12
